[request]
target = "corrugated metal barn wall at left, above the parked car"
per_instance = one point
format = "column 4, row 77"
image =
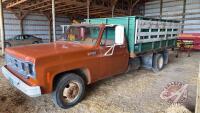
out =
column 35, row 24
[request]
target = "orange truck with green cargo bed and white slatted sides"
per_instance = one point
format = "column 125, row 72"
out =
column 89, row 52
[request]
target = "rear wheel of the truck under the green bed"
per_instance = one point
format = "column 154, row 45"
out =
column 158, row 62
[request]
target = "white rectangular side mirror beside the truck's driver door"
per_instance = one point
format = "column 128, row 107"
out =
column 119, row 35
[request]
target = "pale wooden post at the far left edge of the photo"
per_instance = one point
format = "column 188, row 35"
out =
column 2, row 28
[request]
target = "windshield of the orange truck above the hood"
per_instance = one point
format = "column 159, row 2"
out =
column 82, row 34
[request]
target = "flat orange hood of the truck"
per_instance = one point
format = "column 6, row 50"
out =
column 32, row 52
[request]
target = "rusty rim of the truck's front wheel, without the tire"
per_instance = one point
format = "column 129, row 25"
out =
column 71, row 91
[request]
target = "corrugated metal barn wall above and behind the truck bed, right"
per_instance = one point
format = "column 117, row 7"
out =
column 174, row 9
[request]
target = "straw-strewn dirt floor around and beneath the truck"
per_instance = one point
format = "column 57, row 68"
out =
column 136, row 92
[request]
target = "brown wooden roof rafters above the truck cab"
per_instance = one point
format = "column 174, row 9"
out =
column 116, row 7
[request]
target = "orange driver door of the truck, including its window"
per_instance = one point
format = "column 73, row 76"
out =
column 113, row 57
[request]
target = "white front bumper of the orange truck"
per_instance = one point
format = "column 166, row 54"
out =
column 32, row 91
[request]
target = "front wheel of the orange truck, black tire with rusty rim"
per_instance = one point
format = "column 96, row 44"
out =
column 69, row 91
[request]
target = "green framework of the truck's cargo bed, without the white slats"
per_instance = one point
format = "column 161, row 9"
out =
column 129, row 23
